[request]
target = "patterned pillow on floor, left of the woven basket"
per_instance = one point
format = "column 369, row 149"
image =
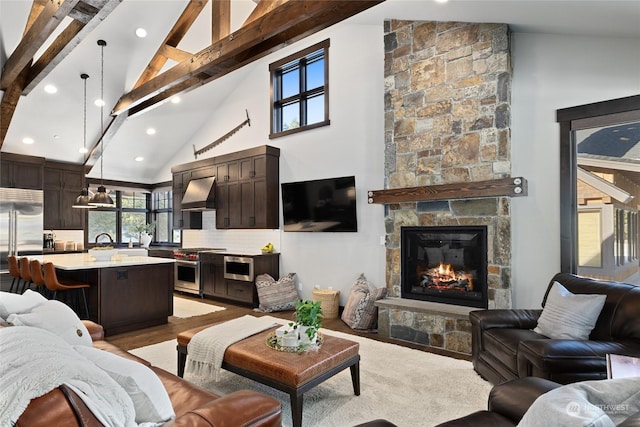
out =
column 277, row 295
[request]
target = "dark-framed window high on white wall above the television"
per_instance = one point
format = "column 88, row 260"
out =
column 300, row 91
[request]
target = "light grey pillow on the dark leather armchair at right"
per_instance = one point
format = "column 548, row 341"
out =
column 569, row 316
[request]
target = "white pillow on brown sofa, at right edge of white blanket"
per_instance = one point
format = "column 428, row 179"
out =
column 149, row 396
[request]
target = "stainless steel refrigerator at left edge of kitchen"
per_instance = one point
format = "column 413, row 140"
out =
column 21, row 227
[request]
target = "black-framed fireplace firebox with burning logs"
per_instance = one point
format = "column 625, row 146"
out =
column 445, row 264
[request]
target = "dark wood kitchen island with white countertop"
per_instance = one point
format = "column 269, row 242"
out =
column 126, row 293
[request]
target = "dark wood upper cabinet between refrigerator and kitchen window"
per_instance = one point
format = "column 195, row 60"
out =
column 62, row 184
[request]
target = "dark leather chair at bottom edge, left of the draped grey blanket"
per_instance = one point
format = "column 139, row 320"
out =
column 509, row 401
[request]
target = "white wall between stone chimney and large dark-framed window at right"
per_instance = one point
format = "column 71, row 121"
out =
column 552, row 72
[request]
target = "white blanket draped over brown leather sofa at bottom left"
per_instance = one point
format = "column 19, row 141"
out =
column 35, row 361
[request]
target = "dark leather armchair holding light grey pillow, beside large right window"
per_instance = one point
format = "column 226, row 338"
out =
column 505, row 347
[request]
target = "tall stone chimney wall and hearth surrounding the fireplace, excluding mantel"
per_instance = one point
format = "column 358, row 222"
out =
column 447, row 117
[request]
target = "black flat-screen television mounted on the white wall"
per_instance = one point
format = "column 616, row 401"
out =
column 320, row 205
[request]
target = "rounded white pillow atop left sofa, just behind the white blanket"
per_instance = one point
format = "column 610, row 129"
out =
column 58, row 318
